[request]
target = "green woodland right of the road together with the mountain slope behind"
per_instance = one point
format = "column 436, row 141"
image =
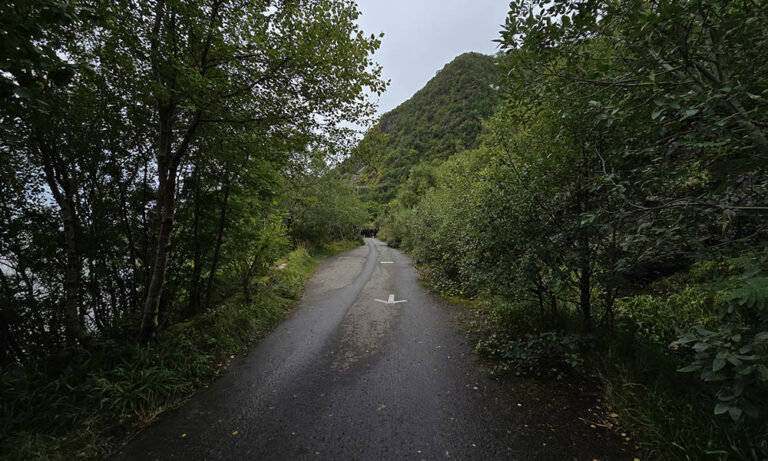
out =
column 610, row 216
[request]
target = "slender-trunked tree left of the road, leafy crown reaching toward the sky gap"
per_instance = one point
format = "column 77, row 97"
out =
column 276, row 68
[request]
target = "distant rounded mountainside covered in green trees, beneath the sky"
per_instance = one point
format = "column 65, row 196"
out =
column 441, row 119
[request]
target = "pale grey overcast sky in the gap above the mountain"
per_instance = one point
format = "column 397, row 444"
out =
column 422, row 36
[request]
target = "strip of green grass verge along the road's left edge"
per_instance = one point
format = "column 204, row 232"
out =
column 83, row 404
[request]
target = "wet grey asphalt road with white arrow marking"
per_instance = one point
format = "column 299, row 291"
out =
column 347, row 377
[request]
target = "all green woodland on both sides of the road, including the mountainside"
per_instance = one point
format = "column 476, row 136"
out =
column 596, row 194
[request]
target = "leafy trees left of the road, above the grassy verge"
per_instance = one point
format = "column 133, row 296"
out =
column 146, row 185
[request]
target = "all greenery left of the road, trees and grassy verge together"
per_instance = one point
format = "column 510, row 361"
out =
column 159, row 161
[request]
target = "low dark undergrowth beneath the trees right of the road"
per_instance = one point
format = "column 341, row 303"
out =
column 641, row 364
